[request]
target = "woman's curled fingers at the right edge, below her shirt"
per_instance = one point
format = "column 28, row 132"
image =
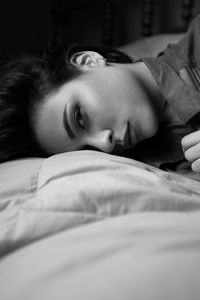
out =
column 191, row 148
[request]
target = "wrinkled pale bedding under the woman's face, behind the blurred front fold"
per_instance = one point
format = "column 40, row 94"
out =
column 76, row 188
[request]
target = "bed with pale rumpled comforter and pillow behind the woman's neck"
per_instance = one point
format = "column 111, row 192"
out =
column 90, row 225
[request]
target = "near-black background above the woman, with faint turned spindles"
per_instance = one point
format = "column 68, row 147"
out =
column 26, row 25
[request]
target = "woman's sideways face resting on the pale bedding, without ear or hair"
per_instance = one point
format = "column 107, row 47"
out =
column 105, row 108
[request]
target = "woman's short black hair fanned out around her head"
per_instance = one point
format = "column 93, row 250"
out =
column 24, row 83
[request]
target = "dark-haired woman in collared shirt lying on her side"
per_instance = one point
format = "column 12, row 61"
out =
column 88, row 98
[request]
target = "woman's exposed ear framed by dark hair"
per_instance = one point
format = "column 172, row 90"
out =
column 87, row 59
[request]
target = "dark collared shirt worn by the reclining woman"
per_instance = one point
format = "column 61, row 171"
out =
column 177, row 72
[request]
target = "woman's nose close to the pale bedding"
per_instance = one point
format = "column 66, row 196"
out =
column 103, row 140
